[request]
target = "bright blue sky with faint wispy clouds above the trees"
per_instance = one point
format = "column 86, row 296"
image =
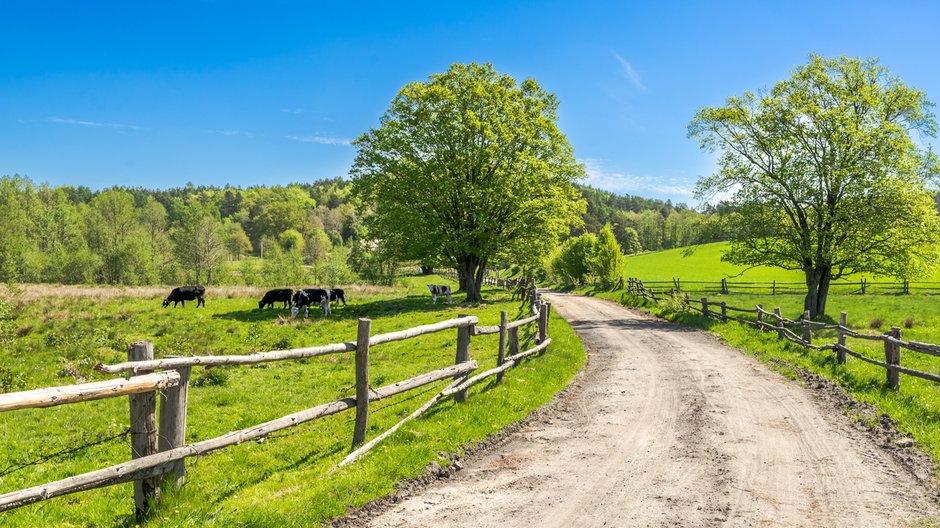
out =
column 158, row 94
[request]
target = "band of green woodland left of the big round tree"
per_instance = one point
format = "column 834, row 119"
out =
column 136, row 236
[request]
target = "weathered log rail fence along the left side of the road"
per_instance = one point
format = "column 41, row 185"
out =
column 153, row 460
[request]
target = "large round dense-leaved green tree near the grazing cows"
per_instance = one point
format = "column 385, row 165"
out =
column 468, row 167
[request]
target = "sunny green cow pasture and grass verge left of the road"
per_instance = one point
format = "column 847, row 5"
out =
column 284, row 480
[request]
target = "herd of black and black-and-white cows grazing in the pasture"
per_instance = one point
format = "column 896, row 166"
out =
column 297, row 300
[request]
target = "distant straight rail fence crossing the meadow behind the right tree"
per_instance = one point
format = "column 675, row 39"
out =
column 726, row 287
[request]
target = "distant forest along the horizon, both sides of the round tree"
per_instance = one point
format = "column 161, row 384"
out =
column 261, row 235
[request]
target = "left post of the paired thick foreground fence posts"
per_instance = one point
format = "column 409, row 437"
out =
column 143, row 414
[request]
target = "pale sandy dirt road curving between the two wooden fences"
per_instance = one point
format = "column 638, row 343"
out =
column 668, row 427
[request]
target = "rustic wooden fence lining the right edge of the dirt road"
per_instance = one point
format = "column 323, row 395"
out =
column 765, row 320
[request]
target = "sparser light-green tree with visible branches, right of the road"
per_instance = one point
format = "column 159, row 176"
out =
column 823, row 174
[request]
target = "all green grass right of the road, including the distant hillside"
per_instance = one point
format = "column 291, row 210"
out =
column 916, row 407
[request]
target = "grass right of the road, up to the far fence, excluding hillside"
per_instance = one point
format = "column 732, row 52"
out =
column 916, row 407
